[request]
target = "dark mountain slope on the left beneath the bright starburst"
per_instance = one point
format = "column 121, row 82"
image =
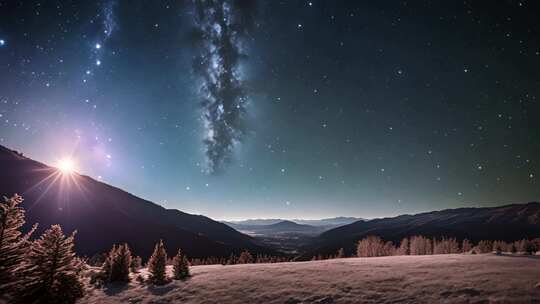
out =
column 104, row 215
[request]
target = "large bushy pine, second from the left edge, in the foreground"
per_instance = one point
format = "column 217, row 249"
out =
column 54, row 275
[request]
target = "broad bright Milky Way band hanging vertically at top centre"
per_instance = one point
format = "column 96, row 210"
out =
column 221, row 26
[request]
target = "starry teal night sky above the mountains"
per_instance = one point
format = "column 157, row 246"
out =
column 310, row 109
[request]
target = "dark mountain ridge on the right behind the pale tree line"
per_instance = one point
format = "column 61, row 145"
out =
column 507, row 223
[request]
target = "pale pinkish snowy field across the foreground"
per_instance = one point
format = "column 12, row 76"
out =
column 401, row 279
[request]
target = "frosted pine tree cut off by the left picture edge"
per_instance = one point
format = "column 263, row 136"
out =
column 13, row 244
